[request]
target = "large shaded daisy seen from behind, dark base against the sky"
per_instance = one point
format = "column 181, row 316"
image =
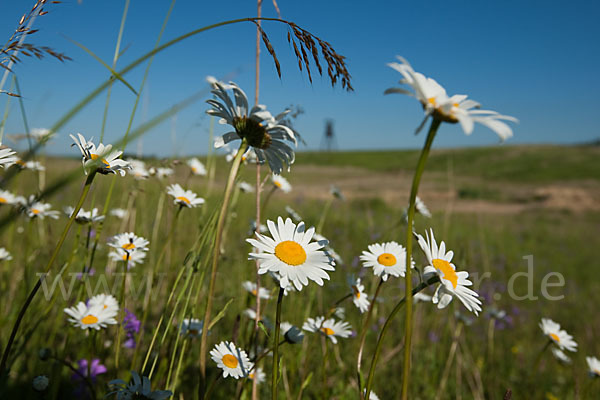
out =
column 263, row 132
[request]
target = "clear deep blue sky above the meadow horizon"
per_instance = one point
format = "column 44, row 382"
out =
column 535, row 60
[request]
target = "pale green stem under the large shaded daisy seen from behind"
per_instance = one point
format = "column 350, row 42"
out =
column 235, row 166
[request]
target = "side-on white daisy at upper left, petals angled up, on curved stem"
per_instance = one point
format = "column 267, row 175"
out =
column 103, row 158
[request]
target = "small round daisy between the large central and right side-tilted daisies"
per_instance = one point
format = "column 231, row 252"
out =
column 386, row 259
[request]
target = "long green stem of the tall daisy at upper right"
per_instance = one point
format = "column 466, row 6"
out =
column 435, row 124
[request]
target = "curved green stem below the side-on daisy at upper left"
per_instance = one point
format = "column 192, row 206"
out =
column 36, row 288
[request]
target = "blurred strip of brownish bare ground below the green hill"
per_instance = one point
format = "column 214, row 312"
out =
column 440, row 191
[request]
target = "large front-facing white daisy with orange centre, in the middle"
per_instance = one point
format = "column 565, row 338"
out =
column 291, row 253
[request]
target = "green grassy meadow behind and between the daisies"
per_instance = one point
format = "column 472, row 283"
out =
column 492, row 206
